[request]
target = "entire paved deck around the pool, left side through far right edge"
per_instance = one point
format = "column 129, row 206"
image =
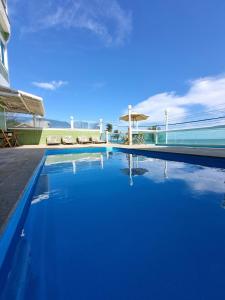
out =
column 18, row 164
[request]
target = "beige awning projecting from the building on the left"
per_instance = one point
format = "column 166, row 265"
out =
column 21, row 102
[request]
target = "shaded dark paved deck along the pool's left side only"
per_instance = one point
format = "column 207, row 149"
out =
column 16, row 168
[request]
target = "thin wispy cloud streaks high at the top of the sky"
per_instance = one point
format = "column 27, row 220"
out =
column 104, row 18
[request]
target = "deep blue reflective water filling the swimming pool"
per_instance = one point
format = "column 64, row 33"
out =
column 112, row 225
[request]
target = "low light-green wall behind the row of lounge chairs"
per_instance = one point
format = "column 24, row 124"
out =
column 38, row 137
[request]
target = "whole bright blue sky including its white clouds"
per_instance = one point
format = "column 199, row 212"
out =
column 91, row 58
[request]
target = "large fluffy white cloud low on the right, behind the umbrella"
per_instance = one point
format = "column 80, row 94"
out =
column 206, row 93
